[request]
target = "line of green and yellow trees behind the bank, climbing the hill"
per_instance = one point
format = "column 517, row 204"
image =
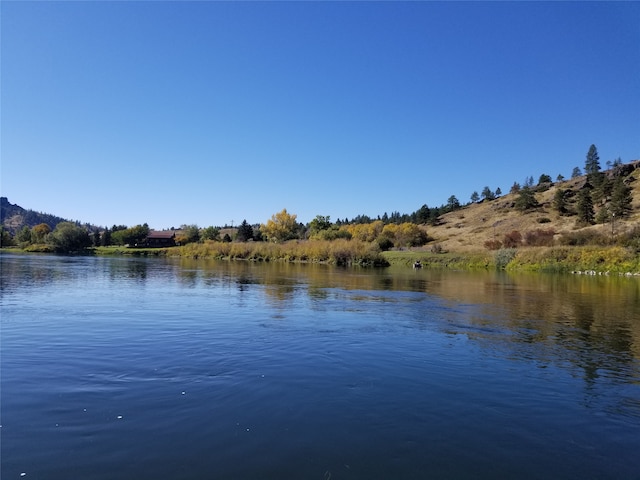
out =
column 608, row 190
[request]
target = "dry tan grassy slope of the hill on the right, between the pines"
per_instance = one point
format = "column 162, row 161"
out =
column 468, row 229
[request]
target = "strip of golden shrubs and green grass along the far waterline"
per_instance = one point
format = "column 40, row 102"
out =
column 561, row 259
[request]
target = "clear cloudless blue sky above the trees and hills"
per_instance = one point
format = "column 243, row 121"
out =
column 177, row 113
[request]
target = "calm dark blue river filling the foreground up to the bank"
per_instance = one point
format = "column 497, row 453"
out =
column 125, row 368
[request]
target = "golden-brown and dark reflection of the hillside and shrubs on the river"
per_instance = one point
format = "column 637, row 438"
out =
column 589, row 325
